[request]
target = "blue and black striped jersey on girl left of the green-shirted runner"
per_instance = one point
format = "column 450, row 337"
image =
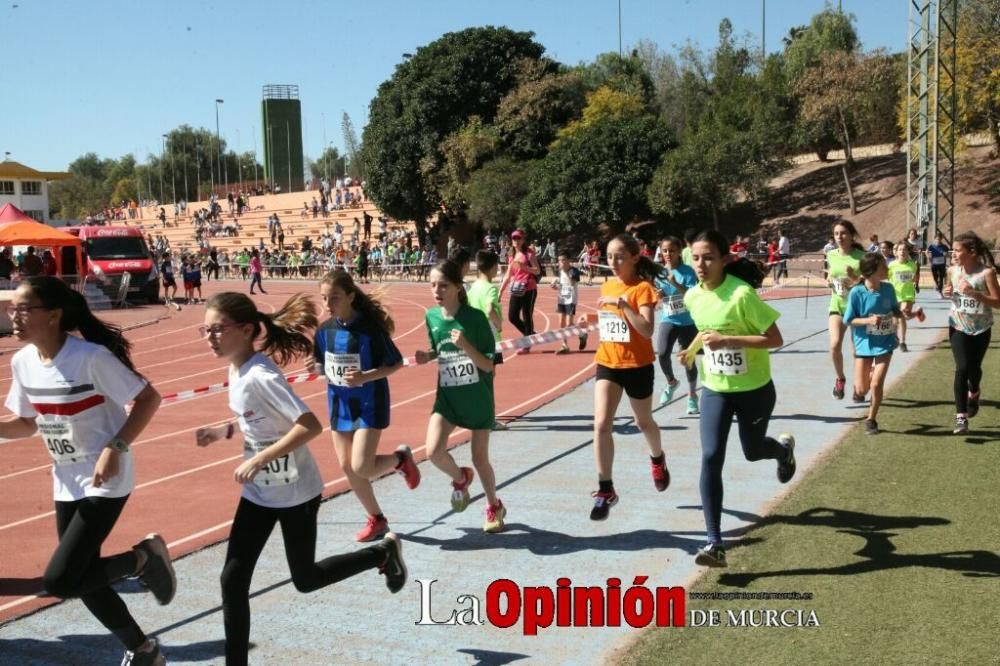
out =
column 355, row 343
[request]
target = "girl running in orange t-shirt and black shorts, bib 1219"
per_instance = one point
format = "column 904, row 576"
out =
column 625, row 364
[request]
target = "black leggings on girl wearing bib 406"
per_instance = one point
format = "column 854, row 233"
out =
column 78, row 570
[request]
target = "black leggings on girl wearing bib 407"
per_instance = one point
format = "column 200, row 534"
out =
column 252, row 527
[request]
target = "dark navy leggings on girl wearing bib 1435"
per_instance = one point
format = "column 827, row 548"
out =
column 753, row 410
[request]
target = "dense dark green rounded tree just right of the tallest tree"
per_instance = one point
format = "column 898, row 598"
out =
column 597, row 175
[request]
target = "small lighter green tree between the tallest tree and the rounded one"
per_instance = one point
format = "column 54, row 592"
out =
column 495, row 191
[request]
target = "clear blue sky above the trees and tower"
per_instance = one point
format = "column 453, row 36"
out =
column 111, row 76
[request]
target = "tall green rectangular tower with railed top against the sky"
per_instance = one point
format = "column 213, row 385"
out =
column 281, row 120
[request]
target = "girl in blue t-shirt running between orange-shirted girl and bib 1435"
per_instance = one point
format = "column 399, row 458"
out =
column 676, row 325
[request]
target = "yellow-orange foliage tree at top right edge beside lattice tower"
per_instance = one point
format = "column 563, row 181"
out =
column 978, row 68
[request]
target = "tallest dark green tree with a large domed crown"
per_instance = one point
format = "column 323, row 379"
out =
column 429, row 96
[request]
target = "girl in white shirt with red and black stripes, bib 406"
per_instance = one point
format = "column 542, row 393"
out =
column 73, row 392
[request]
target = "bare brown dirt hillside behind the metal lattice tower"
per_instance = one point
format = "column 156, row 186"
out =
column 808, row 198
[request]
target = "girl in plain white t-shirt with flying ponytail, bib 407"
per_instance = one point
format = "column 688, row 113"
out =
column 280, row 480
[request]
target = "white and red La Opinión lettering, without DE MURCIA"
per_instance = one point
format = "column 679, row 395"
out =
column 565, row 605
